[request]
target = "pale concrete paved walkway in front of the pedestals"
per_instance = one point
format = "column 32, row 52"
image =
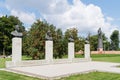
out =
column 60, row 70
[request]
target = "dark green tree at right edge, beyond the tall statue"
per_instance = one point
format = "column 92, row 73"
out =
column 114, row 40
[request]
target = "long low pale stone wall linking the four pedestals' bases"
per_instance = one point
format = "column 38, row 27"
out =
column 44, row 62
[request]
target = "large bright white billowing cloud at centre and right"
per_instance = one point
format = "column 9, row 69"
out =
column 87, row 18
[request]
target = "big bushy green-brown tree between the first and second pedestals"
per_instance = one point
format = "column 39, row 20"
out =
column 34, row 43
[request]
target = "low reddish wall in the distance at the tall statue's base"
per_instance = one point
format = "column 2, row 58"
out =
column 97, row 52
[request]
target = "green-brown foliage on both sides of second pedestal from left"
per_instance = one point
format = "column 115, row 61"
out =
column 34, row 43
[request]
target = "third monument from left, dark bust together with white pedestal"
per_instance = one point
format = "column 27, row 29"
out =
column 71, row 48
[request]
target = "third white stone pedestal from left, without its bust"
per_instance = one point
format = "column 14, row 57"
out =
column 71, row 50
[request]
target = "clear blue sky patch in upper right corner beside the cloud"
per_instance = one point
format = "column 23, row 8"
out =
column 109, row 8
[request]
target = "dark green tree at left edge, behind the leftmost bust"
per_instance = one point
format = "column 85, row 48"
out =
column 7, row 24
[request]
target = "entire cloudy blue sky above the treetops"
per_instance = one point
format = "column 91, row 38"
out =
column 86, row 15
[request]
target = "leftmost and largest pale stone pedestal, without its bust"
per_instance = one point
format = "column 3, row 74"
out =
column 16, row 49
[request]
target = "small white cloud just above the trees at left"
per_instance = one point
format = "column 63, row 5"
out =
column 27, row 18
